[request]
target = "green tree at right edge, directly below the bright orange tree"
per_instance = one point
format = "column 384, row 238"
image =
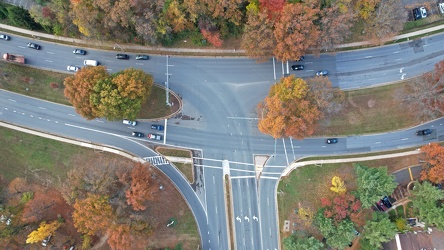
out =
column 426, row 199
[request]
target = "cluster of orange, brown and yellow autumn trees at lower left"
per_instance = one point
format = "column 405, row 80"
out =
column 108, row 199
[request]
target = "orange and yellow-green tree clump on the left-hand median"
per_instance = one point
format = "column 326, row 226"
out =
column 95, row 93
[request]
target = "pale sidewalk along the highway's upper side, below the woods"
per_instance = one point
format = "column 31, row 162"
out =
column 111, row 46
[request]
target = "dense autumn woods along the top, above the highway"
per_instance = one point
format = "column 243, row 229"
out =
column 280, row 28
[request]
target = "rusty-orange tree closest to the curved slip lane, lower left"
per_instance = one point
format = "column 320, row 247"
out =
column 141, row 188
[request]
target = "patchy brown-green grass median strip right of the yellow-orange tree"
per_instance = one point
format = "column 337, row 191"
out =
column 371, row 110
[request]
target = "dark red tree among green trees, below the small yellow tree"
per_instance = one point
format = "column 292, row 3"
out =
column 341, row 207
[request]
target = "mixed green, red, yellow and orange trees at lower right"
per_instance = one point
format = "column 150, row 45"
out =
column 343, row 211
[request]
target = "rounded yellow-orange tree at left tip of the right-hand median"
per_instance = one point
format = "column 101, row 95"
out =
column 288, row 110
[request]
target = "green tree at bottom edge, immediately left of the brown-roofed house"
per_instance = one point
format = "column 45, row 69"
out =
column 378, row 230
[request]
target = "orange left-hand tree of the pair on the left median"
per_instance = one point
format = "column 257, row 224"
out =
column 78, row 90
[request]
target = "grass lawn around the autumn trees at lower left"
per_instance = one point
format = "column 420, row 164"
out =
column 47, row 162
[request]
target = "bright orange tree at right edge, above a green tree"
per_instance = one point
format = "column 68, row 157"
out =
column 433, row 168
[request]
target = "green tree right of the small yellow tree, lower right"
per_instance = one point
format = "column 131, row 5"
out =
column 373, row 184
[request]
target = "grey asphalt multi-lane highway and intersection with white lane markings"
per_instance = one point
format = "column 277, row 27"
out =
column 220, row 97
